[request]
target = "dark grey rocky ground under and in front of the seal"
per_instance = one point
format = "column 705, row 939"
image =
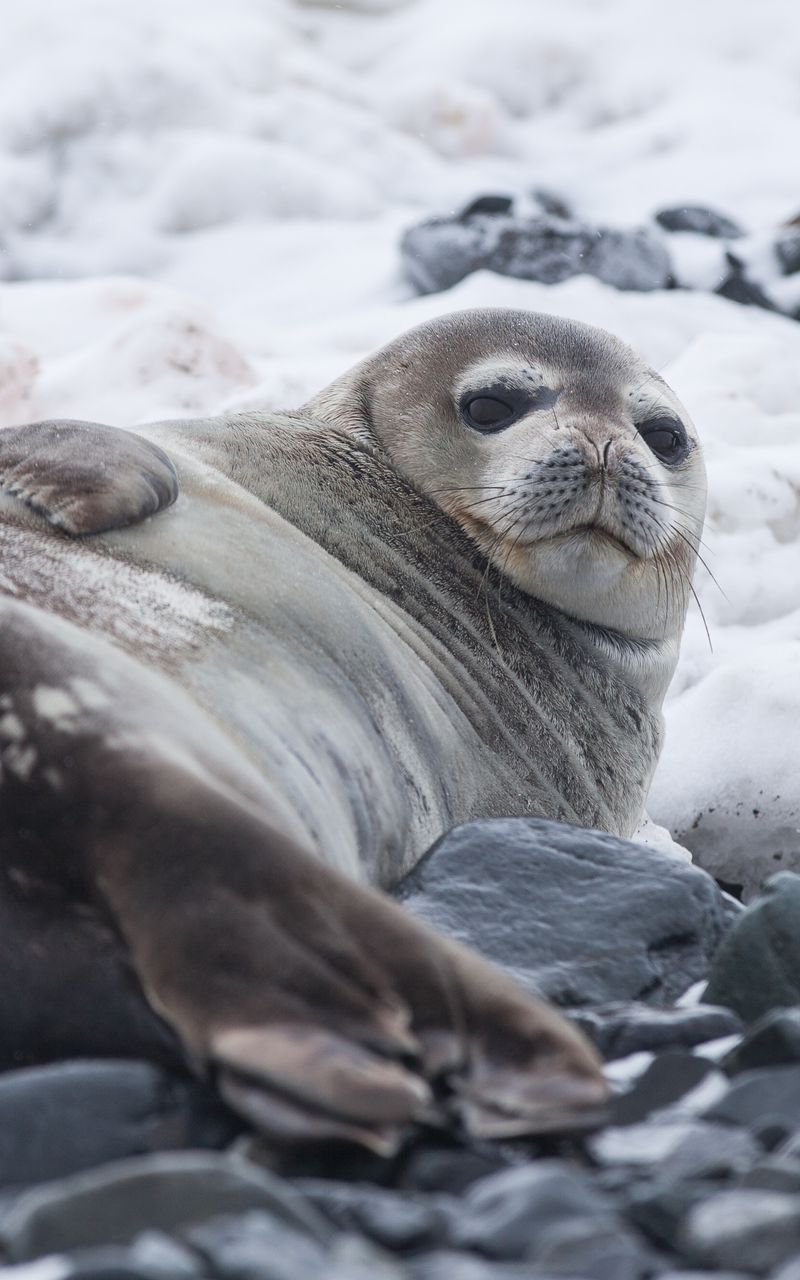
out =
column 120, row 1171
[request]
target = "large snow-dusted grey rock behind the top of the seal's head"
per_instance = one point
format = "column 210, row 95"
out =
column 440, row 253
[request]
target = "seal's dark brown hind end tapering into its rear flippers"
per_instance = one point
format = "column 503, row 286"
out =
column 323, row 1008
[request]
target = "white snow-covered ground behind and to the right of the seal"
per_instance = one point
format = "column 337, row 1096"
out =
column 200, row 208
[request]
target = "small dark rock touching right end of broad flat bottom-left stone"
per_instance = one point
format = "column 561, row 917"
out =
column 395, row 1220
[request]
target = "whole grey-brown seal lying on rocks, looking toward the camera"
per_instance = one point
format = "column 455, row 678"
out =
column 450, row 587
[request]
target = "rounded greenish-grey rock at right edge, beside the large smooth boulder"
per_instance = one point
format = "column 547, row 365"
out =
column 758, row 966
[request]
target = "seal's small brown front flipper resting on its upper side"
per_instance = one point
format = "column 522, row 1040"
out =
column 85, row 478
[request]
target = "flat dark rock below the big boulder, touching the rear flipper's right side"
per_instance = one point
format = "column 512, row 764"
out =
column 618, row 1031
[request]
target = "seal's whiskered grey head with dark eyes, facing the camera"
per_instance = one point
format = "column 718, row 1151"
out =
column 556, row 449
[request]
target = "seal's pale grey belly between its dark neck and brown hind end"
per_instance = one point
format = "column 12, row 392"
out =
column 336, row 697
